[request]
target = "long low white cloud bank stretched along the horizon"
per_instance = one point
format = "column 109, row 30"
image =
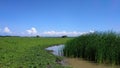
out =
column 60, row 33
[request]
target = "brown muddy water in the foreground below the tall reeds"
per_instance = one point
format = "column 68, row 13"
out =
column 80, row 63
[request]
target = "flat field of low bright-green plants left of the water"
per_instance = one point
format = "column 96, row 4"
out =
column 28, row 52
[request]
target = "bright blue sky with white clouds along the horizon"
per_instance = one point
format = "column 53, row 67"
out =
column 58, row 17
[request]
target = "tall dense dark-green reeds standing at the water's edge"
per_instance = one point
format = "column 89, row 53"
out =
column 101, row 47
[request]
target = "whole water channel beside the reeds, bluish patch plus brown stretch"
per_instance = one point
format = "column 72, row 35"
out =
column 76, row 62
